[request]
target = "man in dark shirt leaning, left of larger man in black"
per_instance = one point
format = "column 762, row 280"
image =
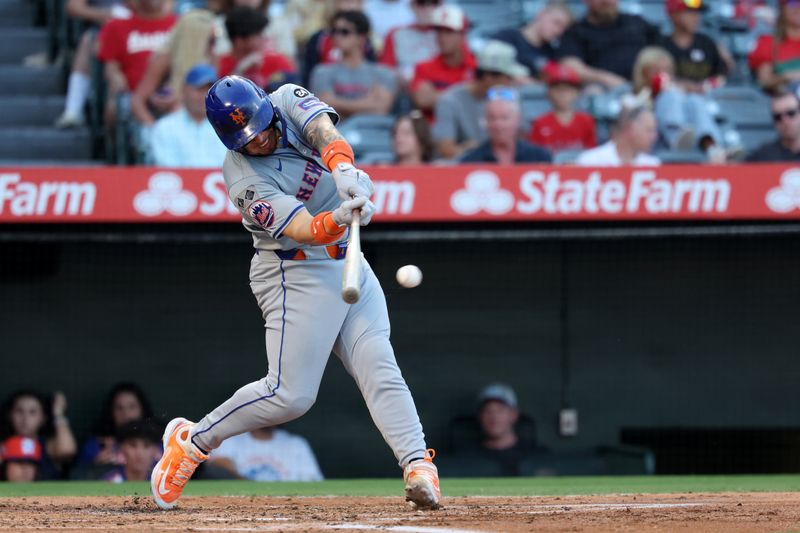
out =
column 537, row 41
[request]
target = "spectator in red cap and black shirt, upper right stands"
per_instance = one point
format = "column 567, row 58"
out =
column 699, row 61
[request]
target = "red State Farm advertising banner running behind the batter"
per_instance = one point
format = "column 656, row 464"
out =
column 417, row 194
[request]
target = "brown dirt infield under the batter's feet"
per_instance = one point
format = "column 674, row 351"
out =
column 663, row 512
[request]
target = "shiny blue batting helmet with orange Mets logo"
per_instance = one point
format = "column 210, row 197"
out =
column 238, row 109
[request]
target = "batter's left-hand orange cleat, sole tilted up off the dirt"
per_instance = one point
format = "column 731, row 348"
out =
column 176, row 466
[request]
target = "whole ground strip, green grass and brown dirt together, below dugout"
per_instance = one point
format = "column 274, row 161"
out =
column 653, row 503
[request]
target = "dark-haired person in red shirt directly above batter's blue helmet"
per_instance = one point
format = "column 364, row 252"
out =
column 250, row 56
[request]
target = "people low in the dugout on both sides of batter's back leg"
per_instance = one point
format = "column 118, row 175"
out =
column 37, row 443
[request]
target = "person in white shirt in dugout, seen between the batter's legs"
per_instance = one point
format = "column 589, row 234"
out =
column 268, row 454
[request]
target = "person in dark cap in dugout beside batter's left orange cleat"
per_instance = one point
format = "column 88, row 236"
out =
column 140, row 447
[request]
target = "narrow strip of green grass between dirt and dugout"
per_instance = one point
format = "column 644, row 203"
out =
column 541, row 486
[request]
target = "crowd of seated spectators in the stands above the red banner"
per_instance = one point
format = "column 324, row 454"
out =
column 412, row 59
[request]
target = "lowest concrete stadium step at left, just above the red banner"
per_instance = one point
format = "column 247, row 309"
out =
column 44, row 143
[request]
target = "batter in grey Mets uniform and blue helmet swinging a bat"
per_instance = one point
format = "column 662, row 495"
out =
column 292, row 176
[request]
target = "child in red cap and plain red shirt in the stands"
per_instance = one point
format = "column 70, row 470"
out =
column 564, row 128
